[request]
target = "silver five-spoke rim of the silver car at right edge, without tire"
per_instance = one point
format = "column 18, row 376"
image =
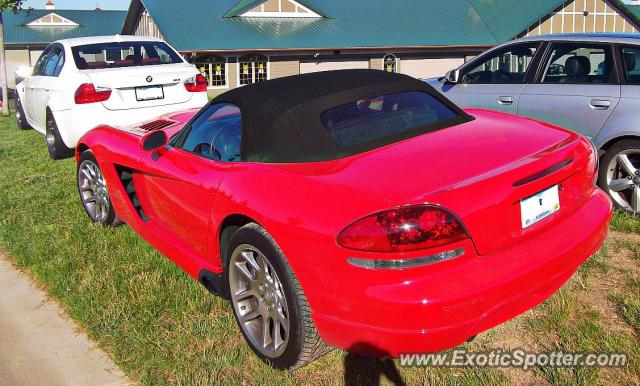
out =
column 623, row 179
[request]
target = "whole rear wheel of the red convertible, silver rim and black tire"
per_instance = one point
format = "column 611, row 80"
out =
column 268, row 303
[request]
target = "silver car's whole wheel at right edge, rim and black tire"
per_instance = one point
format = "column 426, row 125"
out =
column 619, row 174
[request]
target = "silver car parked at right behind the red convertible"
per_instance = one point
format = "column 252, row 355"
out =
column 589, row 83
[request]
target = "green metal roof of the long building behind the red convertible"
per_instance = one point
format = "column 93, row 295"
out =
column 348, row 23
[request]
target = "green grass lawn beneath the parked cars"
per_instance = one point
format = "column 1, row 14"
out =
column 161, row 327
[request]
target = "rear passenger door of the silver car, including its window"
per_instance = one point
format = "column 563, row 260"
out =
column 577, row 89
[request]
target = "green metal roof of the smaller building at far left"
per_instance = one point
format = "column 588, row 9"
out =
column 90, row 23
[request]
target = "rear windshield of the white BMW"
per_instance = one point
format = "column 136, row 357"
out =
column 123, row 54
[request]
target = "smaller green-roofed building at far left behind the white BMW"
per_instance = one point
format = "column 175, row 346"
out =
column 28, row 32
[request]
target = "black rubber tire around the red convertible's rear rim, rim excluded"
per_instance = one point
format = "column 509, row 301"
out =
column 305, row 344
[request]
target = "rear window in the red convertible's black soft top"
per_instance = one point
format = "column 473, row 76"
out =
column 384, row 117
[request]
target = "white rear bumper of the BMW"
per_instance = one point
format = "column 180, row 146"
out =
column 75, row 122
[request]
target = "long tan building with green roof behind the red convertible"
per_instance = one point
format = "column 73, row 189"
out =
column 237, row 42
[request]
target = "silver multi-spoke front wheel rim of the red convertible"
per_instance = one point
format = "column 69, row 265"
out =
column 93, row 191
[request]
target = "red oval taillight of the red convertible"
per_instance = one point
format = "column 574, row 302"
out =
column 403, row 229
